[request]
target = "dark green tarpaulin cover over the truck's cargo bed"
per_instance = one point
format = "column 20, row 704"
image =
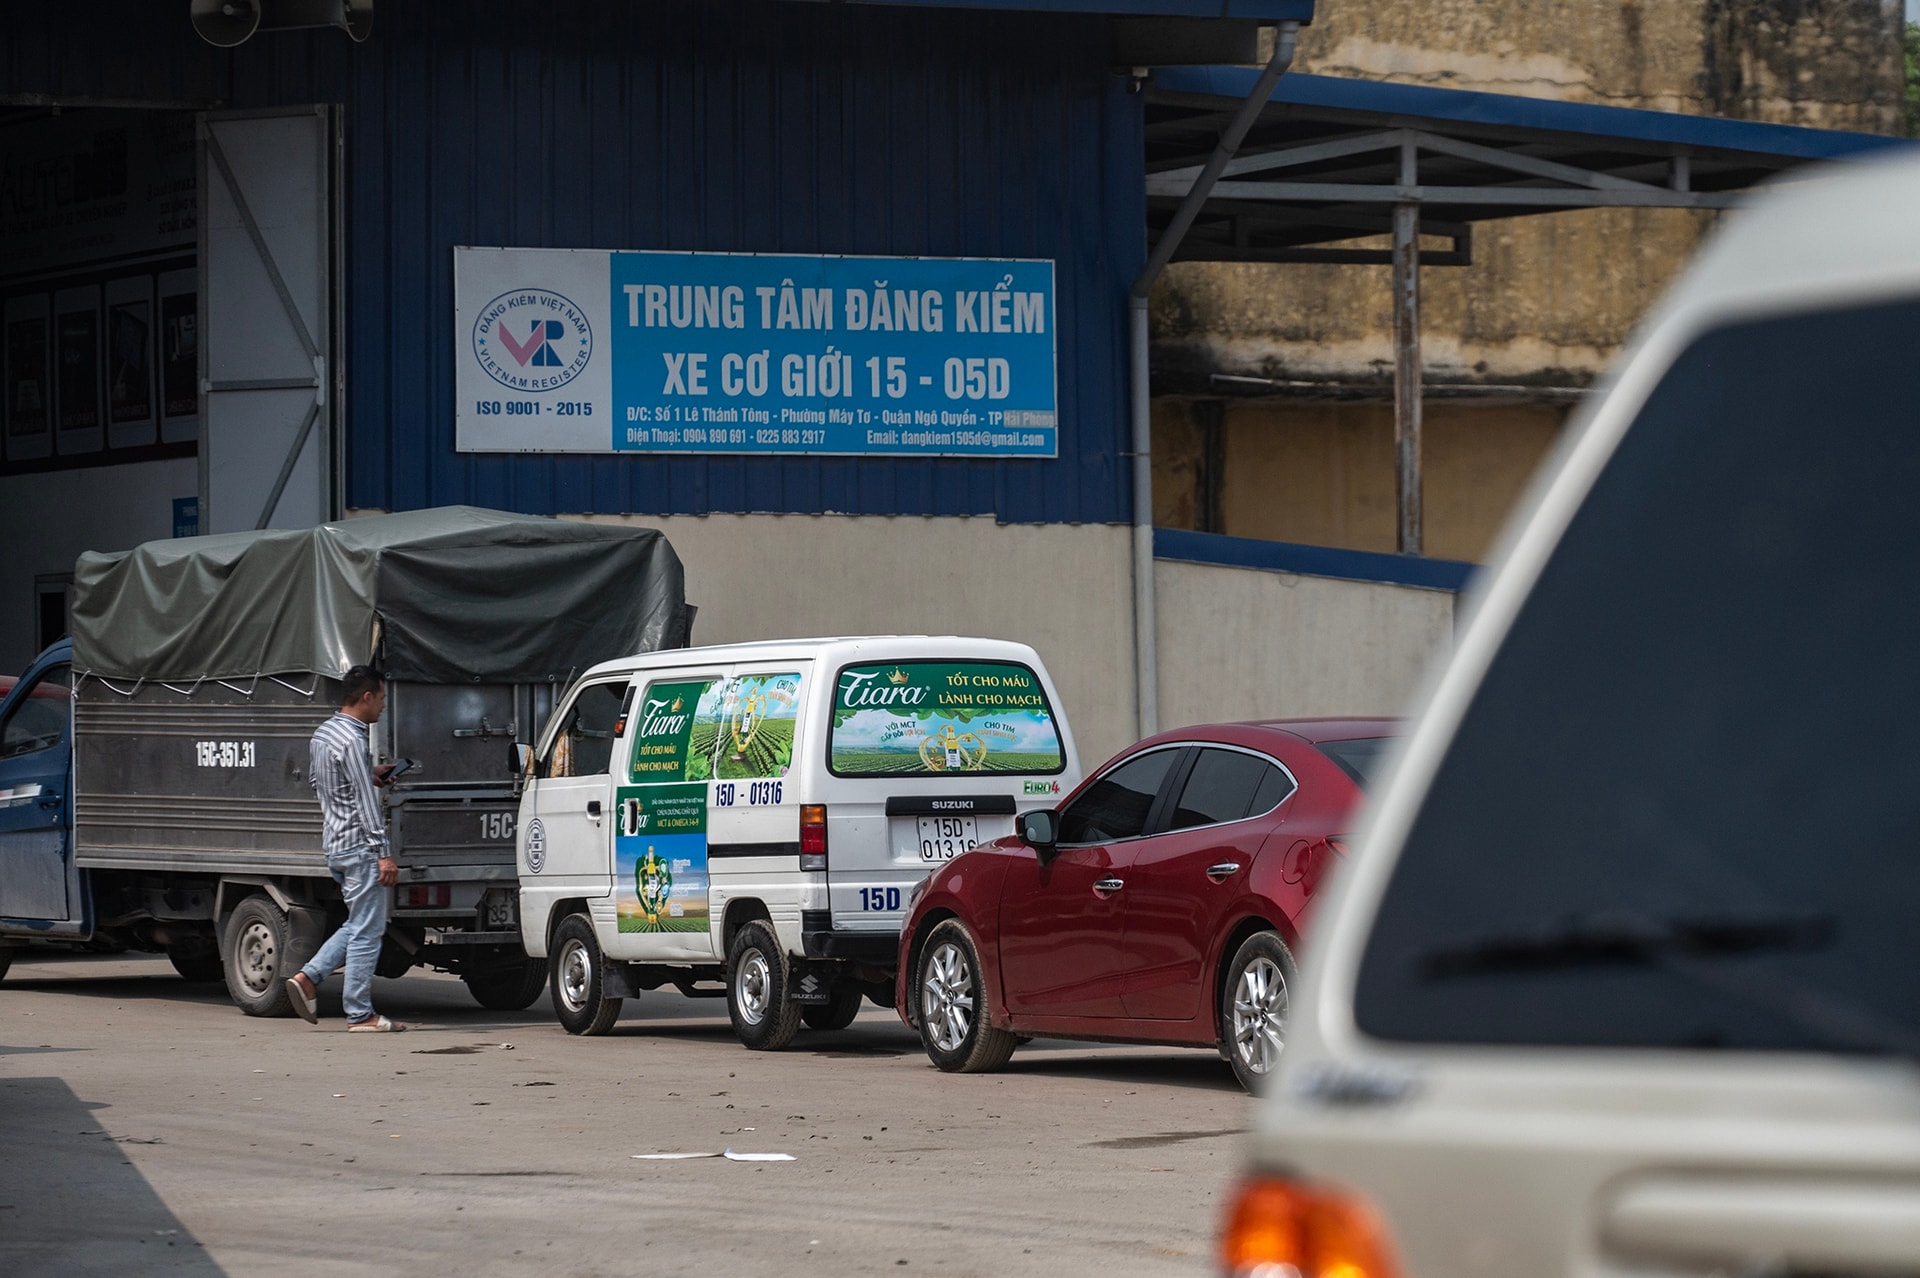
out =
column 454, row 596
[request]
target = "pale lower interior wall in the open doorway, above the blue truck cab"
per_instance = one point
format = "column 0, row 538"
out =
column 49, row 519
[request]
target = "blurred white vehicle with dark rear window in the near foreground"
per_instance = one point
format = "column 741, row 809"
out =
column 1625, row 976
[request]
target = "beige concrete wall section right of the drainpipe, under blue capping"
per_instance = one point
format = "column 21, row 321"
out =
column 1239, row 644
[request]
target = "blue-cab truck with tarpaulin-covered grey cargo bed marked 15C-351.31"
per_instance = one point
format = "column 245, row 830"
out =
column 155, row 769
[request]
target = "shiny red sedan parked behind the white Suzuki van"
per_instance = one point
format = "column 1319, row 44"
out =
column 1161, row 903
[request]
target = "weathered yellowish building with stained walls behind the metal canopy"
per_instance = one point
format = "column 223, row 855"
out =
column 1274, row 410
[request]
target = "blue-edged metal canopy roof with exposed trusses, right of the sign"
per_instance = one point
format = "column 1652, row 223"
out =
column 1330, row 158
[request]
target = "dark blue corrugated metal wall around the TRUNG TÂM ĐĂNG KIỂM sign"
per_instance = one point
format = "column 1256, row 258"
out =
column 725, row 126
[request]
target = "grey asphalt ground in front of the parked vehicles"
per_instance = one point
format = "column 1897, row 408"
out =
column 147, row 1125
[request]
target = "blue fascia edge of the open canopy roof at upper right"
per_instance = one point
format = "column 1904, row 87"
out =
column 1545, row 114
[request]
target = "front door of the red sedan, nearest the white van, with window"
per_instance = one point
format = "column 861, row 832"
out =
column 1061, row 924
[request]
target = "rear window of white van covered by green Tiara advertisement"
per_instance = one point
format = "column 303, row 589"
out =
column 934, row 719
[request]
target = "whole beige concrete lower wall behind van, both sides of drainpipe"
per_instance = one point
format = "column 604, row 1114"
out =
column 1234, row 644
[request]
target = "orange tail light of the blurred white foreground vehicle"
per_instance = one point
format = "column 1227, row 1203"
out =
column 1289, row 1227
